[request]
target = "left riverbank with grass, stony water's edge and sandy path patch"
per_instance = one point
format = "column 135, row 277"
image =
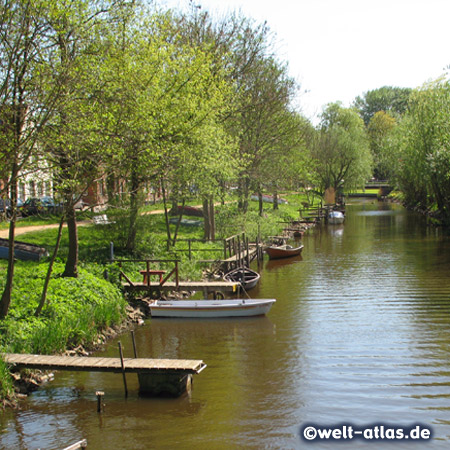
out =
column 83, row 314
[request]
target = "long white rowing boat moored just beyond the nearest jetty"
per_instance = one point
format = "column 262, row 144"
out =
column 210, row 308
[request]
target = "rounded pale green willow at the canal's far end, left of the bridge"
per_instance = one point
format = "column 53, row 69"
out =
column 340, row 150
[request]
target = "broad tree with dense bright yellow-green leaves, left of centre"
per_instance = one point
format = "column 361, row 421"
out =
column 168, row 96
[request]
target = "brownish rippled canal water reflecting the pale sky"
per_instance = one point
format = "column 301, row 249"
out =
column 360, row 334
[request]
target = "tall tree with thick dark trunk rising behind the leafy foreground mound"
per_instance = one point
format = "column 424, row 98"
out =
column 74, row 140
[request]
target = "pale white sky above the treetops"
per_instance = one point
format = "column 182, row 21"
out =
column 340, row 49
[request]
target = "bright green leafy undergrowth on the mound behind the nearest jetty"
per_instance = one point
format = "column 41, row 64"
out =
column 77, row 310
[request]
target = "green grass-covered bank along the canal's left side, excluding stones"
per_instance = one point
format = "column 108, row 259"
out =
column 77, row 310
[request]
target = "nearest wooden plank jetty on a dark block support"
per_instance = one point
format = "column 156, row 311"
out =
column 156, row 376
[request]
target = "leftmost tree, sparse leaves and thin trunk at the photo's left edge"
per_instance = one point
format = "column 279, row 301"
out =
column 26, row 101
